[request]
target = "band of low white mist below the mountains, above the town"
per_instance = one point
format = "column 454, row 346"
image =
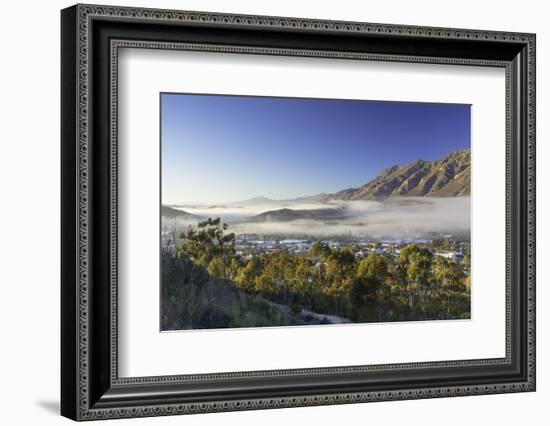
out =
column 395, row 217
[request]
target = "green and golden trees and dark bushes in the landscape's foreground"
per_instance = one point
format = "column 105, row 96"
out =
column 206, row 285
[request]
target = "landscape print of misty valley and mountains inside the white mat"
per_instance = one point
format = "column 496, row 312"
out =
column 303, row 211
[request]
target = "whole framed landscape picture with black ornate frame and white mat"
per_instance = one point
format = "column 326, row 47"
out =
column 263, row 212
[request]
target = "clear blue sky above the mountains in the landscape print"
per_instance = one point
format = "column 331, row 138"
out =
column 218, row 149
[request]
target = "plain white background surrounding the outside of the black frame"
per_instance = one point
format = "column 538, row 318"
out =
column 29, row 213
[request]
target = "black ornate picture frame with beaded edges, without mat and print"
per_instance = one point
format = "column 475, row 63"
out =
column 90, row 386
